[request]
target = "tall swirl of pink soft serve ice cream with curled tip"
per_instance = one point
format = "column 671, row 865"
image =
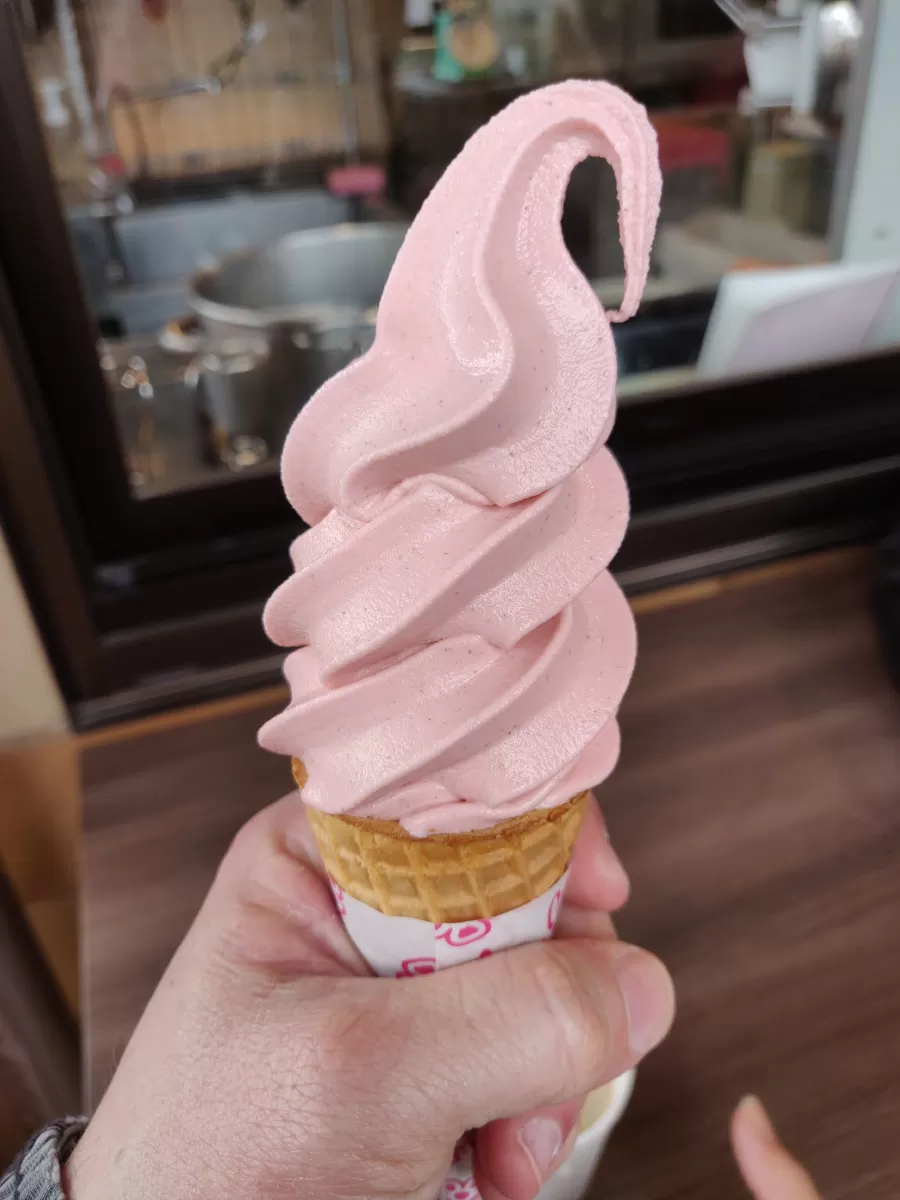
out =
column 464, row 649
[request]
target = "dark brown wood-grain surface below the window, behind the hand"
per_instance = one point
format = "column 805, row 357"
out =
column 758, row 809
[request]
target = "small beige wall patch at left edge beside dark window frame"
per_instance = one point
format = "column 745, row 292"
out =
column 31, row 703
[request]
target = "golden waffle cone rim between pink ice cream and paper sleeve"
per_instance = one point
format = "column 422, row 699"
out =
column 447, row 878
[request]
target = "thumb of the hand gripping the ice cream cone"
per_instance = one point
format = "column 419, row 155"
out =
column 538, row 1025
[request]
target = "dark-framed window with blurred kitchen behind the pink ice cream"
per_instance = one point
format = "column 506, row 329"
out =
column 203, row 200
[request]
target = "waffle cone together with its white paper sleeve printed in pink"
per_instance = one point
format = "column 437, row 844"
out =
column 417, row 905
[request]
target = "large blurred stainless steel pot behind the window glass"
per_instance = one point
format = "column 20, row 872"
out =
column 313, row 296
